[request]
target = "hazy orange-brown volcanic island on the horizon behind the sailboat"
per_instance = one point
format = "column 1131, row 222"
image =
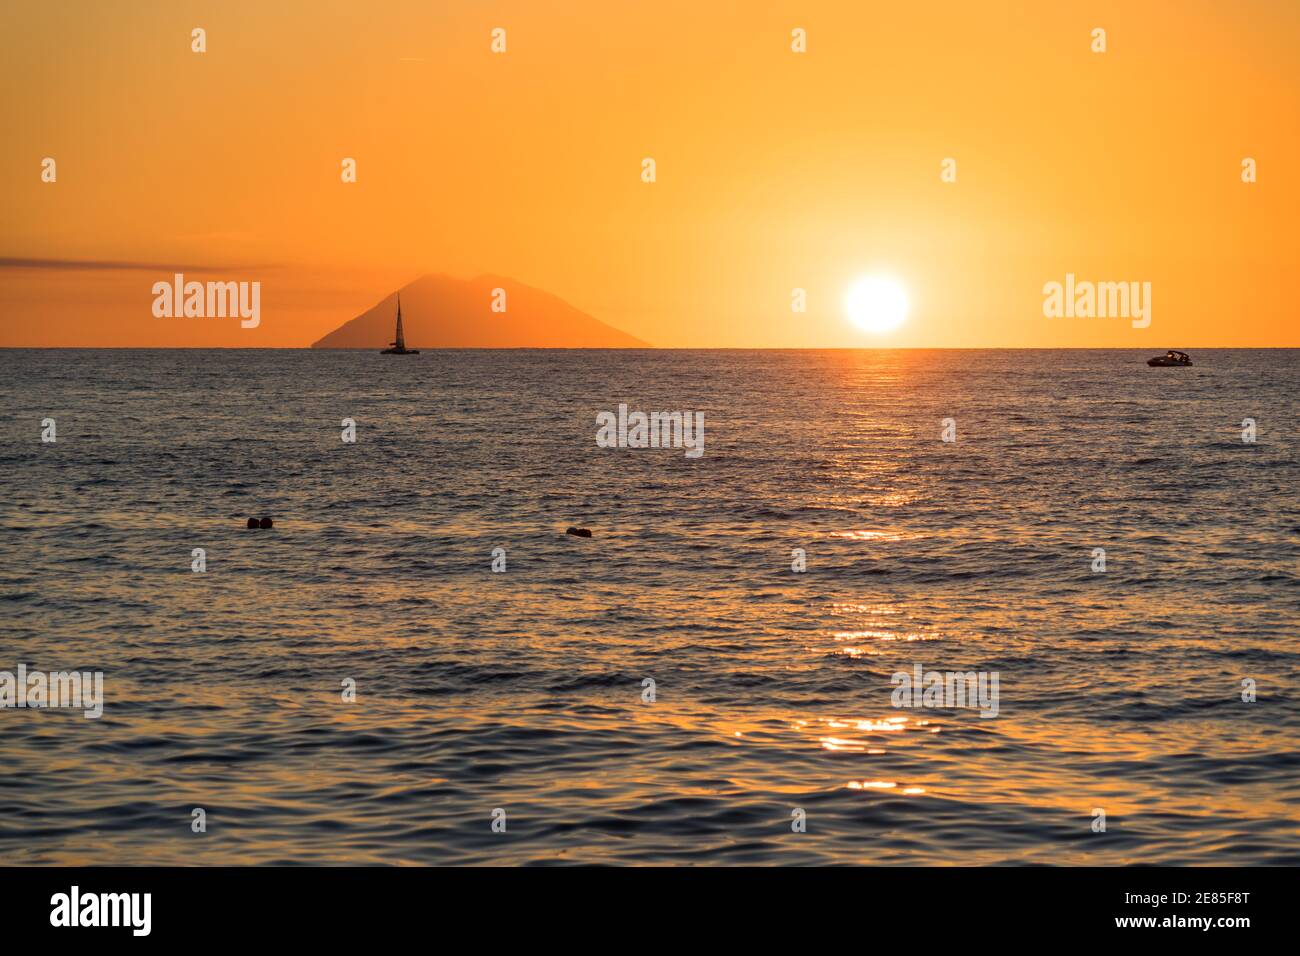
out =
column 445, row 313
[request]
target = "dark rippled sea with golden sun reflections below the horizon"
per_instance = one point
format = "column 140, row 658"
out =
column 1119, row 691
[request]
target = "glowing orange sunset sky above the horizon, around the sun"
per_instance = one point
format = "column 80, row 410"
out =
column 775, row 170
